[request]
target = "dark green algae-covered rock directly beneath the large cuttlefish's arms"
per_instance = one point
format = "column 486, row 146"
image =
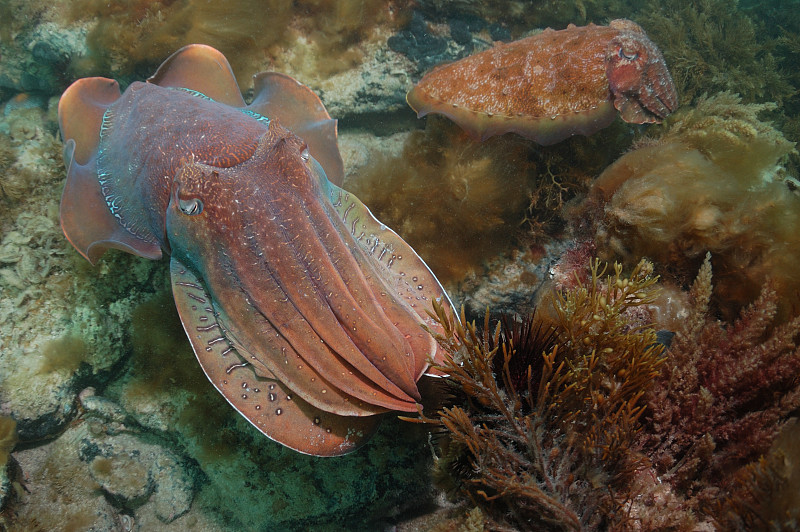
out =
column 248, row 480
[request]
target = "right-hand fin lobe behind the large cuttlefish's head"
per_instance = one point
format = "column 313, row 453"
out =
column 299, row 109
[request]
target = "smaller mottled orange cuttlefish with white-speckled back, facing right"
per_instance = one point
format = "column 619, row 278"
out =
column 553, row 85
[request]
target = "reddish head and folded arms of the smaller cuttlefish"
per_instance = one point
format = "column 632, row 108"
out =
column 638, row 77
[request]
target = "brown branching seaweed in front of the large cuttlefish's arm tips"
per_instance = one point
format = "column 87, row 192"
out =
column 543, row 414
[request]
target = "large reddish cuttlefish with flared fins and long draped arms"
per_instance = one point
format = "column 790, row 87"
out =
column 304, row 311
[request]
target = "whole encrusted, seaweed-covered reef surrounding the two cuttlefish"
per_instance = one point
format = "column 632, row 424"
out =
column 108, row 423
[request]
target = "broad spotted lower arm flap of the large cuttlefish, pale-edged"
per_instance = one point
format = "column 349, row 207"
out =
column 264, row 401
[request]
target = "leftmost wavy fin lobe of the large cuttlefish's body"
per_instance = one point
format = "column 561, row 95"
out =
column 86, row 219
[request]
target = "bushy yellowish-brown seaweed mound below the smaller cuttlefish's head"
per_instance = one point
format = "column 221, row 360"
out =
column 712, row 181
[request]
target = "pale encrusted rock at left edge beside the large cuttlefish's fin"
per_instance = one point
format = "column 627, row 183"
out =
column 61, row 324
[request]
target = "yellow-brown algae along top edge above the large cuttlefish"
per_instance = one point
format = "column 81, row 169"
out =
column 135, row 35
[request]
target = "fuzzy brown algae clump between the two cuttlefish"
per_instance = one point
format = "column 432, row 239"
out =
column 448, row 196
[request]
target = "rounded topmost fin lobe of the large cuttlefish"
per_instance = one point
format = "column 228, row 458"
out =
column 203, row 69
